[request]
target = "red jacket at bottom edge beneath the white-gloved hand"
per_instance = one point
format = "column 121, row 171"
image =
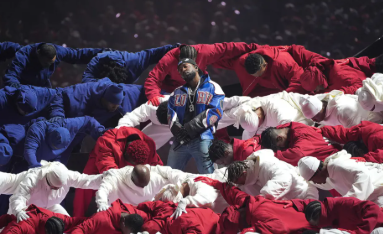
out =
column 195, row 221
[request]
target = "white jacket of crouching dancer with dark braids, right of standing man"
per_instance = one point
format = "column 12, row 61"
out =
column 275, row 179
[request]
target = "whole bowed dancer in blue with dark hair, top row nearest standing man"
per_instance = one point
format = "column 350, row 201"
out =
column 123, row 66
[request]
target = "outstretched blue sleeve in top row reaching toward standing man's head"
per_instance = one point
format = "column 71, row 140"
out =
column 147, row 57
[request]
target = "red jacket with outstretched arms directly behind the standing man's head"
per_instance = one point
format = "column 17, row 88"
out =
column 165, row 76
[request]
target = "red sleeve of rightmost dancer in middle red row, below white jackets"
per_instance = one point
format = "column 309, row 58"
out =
column 341, row 134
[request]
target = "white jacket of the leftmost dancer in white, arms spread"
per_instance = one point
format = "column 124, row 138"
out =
column 34, row 189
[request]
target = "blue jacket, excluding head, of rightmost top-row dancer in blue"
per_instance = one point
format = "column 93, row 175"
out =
column 134, row 63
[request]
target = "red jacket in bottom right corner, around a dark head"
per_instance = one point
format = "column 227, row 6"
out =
column 349, row 213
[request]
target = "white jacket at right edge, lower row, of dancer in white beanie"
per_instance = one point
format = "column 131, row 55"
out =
column 362, row 180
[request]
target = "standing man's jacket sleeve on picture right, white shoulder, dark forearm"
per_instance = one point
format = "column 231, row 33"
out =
column 209, row 117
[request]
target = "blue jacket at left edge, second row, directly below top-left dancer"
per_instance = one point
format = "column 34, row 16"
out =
column 47, row 103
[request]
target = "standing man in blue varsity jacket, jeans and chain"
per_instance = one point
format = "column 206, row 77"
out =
column 194, row 110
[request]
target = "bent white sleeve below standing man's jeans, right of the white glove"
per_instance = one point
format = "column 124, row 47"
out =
column 204, row 197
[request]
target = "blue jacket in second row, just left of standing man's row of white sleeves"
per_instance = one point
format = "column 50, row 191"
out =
column 85, row 99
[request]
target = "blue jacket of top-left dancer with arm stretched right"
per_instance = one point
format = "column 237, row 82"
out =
column 26, row 68
